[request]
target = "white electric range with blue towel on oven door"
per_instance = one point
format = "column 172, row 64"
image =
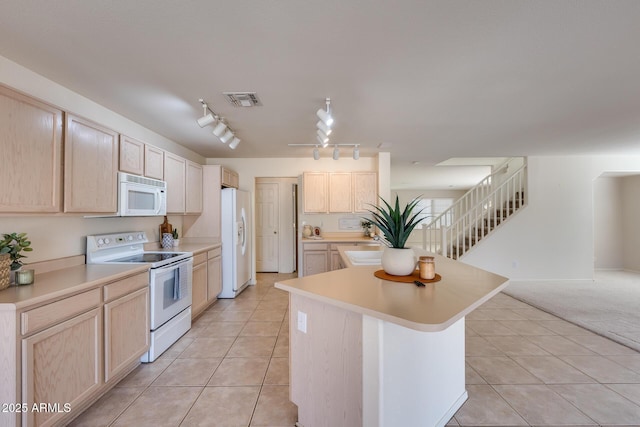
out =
column 170, row 279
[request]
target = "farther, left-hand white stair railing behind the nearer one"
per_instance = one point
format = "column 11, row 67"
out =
column 480, row 190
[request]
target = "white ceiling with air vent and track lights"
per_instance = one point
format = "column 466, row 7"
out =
column 429, row 79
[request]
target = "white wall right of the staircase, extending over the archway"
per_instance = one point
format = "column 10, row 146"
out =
column 553, row 237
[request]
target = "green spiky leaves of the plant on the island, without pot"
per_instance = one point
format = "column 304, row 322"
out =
column 396, row 225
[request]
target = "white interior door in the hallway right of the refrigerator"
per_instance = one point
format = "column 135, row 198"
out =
column 267, row 229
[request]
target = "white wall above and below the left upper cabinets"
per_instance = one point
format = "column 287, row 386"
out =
column 58, row 236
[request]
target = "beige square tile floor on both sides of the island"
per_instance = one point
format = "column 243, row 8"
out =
column 524, row 367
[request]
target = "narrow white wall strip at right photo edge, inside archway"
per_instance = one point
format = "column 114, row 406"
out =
column 631, row 222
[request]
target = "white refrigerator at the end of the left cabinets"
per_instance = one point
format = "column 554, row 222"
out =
column 235, row 218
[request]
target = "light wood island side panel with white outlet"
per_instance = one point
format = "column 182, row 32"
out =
column 326, row 364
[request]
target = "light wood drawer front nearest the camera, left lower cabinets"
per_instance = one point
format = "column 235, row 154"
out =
column 50, row 314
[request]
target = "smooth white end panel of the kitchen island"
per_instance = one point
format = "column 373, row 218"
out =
column 421, row 374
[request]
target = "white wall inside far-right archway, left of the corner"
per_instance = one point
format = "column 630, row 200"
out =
column 607, row 223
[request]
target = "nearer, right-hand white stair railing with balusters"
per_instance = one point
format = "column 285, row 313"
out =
column 471, row 224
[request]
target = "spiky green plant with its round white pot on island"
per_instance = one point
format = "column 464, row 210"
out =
column 396, row 226
